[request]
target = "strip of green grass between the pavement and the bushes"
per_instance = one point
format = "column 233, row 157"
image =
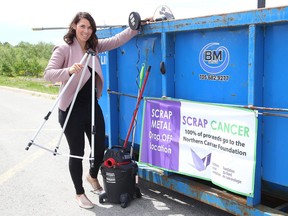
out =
column 29, row 83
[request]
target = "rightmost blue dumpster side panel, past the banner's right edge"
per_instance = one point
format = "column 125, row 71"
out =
column 275, row 88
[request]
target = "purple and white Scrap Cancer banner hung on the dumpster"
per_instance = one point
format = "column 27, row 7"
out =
column 212, row 142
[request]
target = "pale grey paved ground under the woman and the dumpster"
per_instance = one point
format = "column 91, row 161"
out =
column 35, row 182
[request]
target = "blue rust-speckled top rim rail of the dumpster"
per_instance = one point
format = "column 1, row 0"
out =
column 259, row 17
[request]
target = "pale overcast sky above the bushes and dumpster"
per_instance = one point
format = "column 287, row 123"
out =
column 18, row 17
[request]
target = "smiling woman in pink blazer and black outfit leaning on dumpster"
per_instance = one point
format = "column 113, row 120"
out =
column 64, row 62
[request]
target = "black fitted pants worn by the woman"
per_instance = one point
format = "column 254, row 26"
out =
column 78, row 125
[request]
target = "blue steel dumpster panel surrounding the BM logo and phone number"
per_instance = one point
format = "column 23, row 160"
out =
column 188, row 71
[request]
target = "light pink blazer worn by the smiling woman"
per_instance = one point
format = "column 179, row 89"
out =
column 64, row 56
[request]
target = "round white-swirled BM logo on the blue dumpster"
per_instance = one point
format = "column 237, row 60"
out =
column 214, row 58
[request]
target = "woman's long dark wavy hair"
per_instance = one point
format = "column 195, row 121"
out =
column 93, row 40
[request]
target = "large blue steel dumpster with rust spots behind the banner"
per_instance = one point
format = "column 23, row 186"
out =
column 236, row 59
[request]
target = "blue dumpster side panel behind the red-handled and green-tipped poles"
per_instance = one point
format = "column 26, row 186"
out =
column 129, row 61
